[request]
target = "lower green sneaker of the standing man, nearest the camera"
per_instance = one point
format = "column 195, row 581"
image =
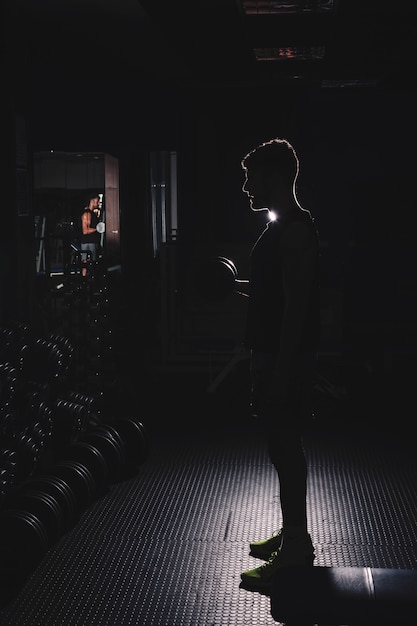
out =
column 259, row 578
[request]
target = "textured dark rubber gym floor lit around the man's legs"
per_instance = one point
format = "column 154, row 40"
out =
column 166, row 546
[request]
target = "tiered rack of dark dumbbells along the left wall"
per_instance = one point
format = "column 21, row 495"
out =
column 60, row 450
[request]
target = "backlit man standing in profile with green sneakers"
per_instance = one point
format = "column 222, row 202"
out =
column 282, row 335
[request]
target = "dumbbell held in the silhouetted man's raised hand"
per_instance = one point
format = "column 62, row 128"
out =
column 218, row 278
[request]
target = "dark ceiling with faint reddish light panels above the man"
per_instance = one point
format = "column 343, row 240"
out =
column 336, row 44
